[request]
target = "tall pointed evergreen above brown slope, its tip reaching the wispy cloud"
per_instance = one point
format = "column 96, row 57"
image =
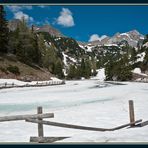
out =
column 27, row 49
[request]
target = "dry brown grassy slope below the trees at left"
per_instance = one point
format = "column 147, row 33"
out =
column 26, row 72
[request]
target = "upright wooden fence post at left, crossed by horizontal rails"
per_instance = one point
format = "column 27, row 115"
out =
column 40, row 125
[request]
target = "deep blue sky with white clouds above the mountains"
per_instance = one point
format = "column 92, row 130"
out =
column 81, row 22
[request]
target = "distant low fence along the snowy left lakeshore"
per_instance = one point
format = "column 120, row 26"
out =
column 37, row 84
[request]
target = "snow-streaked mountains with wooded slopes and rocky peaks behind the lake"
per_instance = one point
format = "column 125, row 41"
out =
column 119, row 54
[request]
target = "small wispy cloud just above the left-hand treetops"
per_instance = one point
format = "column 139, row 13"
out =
column 20, row 15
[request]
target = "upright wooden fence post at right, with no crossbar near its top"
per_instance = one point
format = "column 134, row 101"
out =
column 131, row 113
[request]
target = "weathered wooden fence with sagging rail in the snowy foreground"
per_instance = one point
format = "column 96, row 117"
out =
column 38, row 119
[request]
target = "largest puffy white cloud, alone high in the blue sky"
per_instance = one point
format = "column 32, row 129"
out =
column 65, row 19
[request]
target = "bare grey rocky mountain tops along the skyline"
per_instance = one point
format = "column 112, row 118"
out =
column 132, row 36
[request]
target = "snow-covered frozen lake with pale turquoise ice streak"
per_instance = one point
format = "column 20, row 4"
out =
column 77, row 102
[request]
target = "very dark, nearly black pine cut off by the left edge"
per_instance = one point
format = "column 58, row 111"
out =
column 3, row 31
